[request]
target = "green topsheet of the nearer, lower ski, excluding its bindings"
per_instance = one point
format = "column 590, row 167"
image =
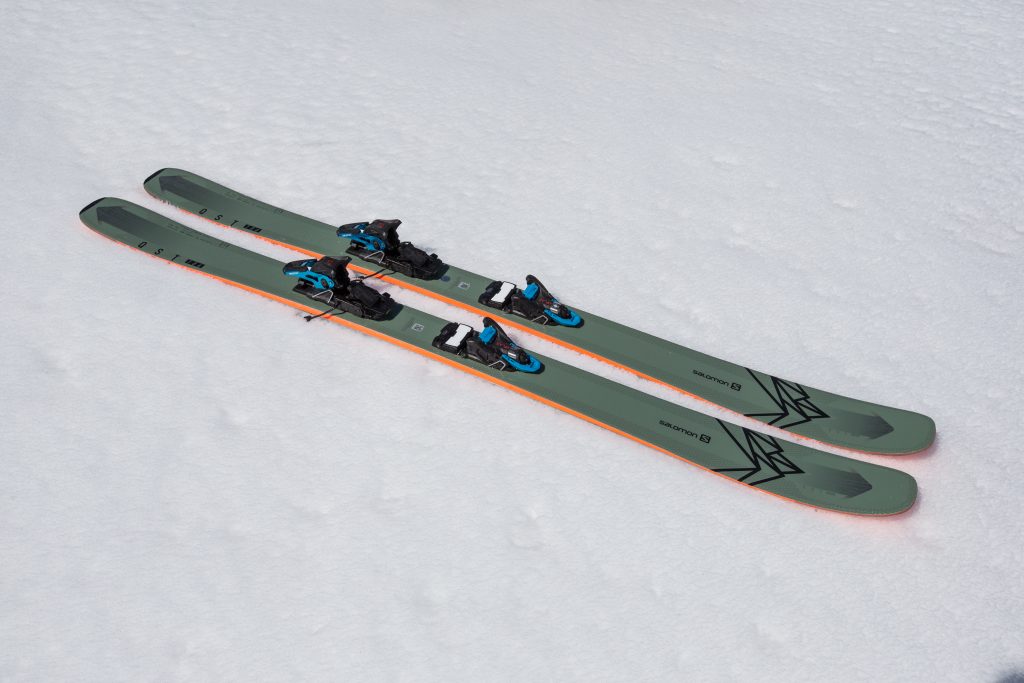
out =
column 788, row 471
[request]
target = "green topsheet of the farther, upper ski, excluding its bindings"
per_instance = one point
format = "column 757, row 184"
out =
column 813, row 413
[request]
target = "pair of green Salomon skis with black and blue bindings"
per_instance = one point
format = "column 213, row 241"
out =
column 789, row 471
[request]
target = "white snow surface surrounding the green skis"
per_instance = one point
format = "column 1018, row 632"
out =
column 196, row 486
